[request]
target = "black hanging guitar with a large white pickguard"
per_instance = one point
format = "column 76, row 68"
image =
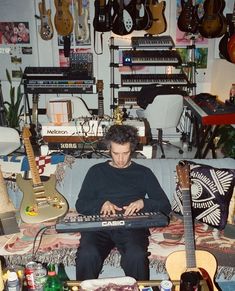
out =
column 123, row 20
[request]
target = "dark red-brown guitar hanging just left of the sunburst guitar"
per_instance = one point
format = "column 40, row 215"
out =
column 188, row 20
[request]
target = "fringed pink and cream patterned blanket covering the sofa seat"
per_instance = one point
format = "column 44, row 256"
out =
column 41, row 242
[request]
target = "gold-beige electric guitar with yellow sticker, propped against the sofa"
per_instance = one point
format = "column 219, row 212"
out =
column 41, row 201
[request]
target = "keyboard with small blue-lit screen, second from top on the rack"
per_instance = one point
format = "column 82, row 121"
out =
column 151, row 57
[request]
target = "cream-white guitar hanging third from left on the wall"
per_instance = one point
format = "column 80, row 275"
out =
column 82, row 32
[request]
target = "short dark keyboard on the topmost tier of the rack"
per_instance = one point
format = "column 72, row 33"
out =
column 156, row 42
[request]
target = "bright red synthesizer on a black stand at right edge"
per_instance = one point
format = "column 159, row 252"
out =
column 211, row 112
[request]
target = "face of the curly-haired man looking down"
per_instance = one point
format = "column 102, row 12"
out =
column 121, row 154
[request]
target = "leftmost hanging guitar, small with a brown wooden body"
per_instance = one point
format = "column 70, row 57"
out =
column 46, row 30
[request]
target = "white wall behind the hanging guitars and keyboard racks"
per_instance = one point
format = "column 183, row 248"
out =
column 45, row 53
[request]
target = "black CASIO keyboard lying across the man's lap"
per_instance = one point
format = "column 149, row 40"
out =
column 96, row 222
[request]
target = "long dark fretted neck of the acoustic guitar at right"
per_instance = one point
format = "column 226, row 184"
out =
column 188, row 230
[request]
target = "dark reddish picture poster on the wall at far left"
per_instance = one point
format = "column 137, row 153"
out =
column 14, row 33
